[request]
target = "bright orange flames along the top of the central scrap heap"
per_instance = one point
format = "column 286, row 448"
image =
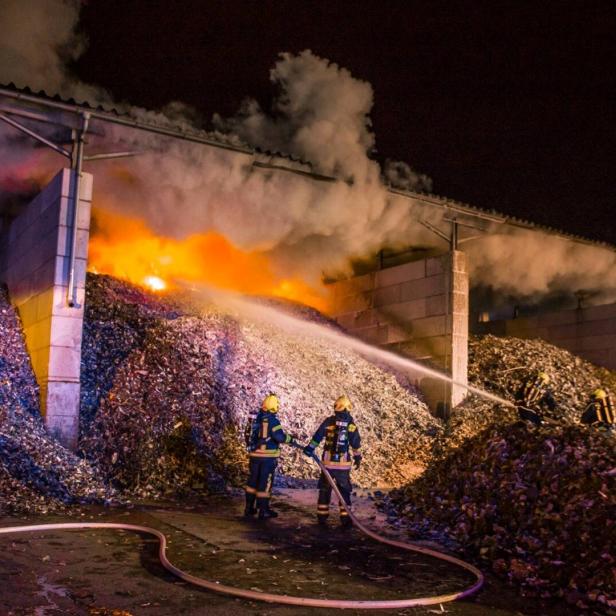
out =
column 127, row 248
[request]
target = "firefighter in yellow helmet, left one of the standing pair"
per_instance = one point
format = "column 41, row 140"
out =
column 264, row 435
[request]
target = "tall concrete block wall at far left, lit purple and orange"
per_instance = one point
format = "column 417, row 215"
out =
column 34, row 264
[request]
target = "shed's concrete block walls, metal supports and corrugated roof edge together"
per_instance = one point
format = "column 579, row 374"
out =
column 416, row 302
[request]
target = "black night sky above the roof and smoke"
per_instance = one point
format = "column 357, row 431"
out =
column 506, row 105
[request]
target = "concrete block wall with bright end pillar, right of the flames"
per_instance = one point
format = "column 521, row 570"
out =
column 419, row 309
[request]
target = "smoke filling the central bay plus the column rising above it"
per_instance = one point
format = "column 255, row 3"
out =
column 307, row 226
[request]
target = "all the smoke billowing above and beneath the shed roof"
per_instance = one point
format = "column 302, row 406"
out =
column 304, row 226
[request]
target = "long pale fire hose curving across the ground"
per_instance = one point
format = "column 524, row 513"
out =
column 274, row 598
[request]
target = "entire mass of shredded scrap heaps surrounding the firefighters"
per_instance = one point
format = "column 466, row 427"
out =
column 167, row 387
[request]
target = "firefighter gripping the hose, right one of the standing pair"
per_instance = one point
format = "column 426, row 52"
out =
column 341, row 434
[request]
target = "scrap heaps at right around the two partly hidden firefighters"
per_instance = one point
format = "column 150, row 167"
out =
column 535, row 504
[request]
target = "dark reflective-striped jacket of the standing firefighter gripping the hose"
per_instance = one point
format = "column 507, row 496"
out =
column 341, row 435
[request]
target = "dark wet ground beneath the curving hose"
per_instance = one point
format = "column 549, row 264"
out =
column 97, row 572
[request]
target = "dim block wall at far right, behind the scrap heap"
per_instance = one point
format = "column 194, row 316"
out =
column 587, row 332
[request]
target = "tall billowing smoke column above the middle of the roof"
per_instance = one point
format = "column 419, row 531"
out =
column 320, row 115
